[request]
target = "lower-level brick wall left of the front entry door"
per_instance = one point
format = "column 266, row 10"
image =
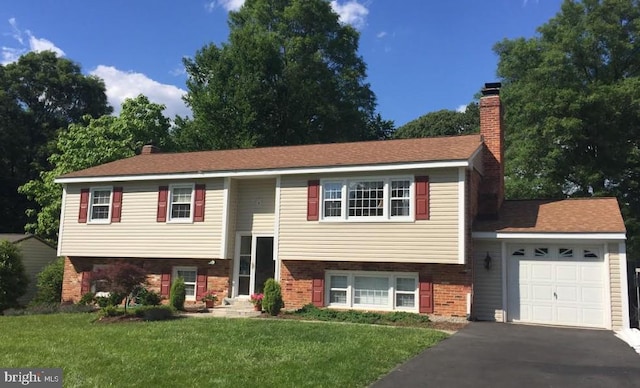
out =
column 217, row 274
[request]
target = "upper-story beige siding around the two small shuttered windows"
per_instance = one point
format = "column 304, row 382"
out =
column 139, row 234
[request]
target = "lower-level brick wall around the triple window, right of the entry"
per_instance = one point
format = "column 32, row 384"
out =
column 451, row 282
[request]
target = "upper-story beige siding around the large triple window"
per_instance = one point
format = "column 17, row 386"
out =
column 428, row 241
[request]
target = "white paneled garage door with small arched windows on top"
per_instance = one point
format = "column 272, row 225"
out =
column 559, row 285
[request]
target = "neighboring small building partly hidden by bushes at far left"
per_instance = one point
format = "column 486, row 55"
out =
column 36, row 254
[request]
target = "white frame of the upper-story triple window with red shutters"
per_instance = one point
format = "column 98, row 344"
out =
column 386, row 213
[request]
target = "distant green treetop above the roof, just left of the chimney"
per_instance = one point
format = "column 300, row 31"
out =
column 442, row 123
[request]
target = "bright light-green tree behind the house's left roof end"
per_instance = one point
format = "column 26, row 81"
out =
column 90, row 143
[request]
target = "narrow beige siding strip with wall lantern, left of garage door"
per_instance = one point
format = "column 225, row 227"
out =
column 487, row 284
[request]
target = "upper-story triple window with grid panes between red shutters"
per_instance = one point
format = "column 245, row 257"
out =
column 368, row 199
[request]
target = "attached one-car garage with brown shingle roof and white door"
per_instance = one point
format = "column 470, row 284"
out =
column 552, row 262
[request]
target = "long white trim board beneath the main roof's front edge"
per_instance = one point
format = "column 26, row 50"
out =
column 265, row 173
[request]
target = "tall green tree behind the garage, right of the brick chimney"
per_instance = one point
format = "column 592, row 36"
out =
column 572, row 98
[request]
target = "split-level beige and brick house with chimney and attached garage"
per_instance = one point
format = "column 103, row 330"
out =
column 415, row 225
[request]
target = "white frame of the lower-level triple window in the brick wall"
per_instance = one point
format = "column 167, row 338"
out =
column 390, row 306
